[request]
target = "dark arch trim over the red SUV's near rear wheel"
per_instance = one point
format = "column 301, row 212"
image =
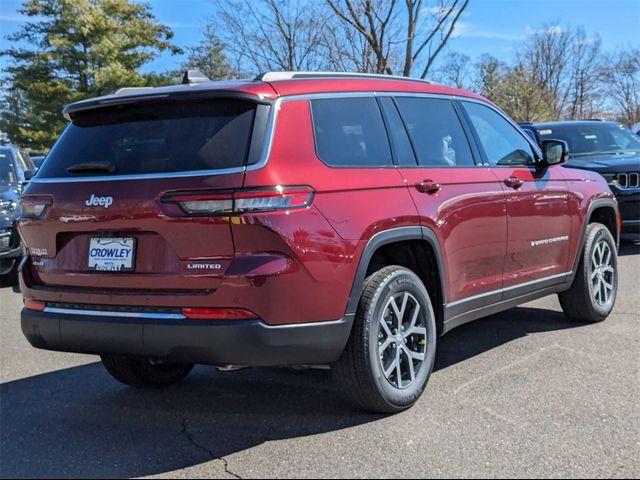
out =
column 393, row 235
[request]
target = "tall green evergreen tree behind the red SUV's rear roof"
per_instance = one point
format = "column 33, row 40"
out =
column 70, row 50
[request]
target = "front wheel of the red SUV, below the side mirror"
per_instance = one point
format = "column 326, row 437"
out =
column 588, row 300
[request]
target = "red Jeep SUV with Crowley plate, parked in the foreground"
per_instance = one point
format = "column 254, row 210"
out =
column 302, row 218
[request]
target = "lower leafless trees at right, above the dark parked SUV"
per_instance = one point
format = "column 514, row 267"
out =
column 559, row 73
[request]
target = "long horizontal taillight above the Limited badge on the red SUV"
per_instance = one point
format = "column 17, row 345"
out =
column 242, row 201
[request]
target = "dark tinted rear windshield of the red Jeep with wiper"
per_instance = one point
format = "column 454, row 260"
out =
column 154, row 138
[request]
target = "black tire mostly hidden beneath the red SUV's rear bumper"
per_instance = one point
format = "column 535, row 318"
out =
column 142, row 373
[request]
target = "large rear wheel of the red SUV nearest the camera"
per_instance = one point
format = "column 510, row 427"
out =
column 360, row 371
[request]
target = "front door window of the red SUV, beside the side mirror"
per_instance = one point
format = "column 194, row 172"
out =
column 503, row 145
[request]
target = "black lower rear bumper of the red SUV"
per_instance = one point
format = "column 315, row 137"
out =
column 248, row 343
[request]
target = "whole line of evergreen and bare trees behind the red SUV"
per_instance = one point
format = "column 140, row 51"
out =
column 68, row 50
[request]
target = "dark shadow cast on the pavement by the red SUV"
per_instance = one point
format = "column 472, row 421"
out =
column 78, row 422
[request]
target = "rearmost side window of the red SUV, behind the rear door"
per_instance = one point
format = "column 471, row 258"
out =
column 349, row 132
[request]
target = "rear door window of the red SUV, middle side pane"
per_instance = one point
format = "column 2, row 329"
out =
column 436, row 132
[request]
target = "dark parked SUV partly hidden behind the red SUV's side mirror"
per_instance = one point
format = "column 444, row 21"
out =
column 608, row 148
